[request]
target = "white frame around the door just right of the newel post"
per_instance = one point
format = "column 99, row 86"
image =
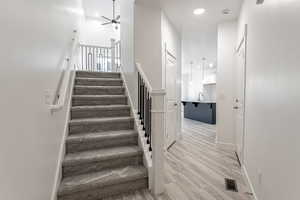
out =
column 166, row 53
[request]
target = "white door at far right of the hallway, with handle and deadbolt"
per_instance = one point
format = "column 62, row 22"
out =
column 239, row 101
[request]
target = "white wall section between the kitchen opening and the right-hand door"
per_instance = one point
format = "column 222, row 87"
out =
column 227, row 39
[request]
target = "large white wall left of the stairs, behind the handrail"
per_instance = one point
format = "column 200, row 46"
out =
column 34, row 37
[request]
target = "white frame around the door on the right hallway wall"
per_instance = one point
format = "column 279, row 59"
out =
column 242, row 42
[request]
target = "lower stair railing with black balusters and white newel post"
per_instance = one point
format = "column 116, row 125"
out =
column 151, row 113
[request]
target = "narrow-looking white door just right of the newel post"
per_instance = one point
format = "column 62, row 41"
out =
column 171, row 99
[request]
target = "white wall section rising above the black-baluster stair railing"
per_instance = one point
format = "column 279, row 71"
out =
column 148, row 40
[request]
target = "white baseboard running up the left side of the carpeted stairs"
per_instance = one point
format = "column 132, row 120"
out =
column 58, row 173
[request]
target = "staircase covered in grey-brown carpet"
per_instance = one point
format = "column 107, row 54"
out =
column 102, row 154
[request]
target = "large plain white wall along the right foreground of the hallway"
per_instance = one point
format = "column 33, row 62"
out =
column 273, row 97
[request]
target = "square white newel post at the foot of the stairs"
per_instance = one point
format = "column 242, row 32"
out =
column 158, row 132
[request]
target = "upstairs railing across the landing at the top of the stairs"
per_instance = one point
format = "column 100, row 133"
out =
column 100, row 59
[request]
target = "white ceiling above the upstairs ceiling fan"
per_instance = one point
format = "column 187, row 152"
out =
column 94, row 8
